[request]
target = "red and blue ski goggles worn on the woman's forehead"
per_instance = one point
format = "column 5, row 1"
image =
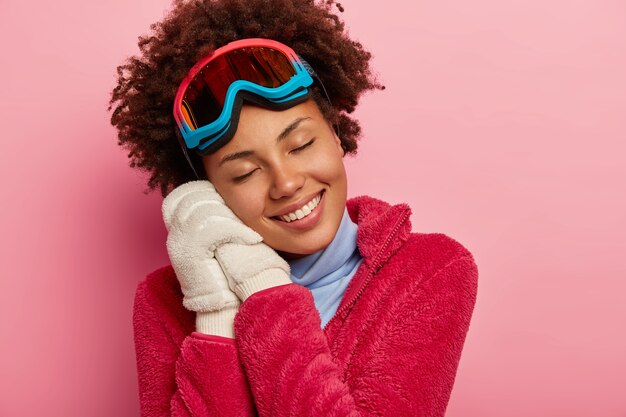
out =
column 209, row 99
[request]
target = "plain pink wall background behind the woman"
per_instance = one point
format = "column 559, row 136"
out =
column 502, row 125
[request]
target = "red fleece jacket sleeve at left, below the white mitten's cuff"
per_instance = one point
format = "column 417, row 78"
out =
column 200, row 377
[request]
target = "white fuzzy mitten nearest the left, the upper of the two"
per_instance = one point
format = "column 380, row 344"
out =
column 198, row 221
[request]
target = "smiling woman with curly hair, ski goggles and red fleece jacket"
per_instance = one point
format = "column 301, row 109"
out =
column 282, row 298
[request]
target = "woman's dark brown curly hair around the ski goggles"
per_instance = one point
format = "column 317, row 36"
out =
column 146, row 85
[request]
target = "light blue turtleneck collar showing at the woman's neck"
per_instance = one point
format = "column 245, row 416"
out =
column 327, row 272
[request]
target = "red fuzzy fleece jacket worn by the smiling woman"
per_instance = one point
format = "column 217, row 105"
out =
column 391, row 349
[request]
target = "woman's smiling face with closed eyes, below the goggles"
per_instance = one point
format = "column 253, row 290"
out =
column 277, row 163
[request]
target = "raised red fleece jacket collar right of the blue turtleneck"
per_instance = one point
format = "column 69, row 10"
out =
column 382, row 228
